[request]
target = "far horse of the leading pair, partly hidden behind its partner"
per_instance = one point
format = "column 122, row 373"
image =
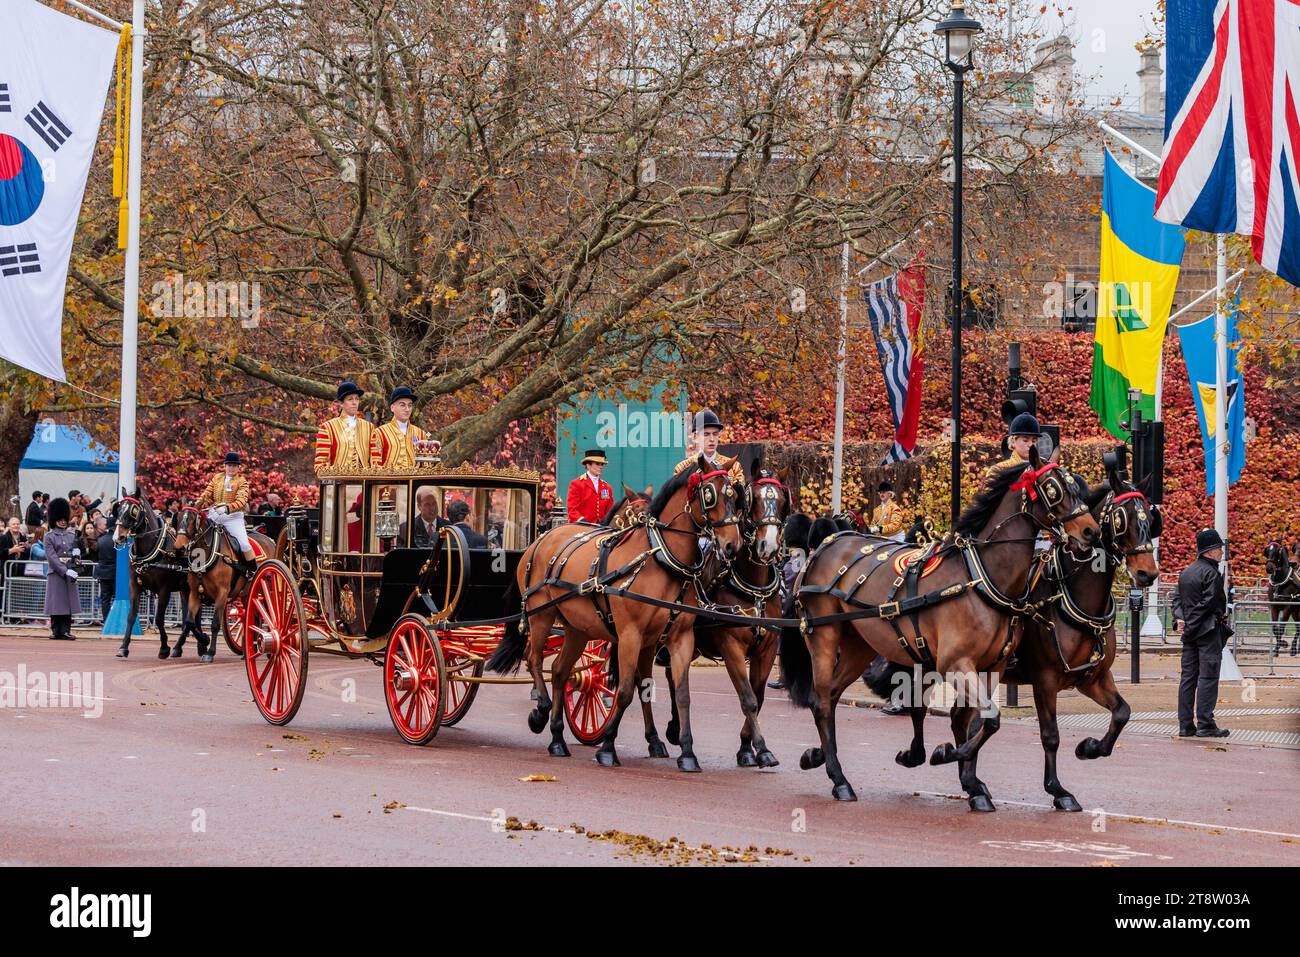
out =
column 1071, row 640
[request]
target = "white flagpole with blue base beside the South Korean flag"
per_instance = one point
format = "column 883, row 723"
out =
column 118, row 618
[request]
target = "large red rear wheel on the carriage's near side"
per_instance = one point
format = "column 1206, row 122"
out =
column 276, row 640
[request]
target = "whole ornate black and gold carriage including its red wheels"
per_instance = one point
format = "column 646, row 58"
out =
column 383, row 571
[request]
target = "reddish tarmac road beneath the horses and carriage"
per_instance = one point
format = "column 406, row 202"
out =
column 181, row 770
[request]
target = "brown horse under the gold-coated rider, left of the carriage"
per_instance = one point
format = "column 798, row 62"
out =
column 215, row 575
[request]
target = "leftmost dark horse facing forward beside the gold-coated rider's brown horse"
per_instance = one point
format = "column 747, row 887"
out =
column 155, row 568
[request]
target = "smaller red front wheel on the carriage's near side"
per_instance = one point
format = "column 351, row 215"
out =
column 415, row 681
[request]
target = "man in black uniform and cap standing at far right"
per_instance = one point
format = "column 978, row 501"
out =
column 1201, row 610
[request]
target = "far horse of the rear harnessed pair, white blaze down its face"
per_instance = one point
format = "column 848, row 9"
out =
column 751, row 587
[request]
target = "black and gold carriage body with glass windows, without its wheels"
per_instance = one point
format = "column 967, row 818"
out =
column 385, row 544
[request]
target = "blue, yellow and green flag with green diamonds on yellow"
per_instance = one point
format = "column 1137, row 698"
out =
column 1139, row 272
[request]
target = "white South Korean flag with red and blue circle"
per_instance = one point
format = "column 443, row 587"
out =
column 54, row 79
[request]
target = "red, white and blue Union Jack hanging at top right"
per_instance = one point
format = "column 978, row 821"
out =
column 1232, row 129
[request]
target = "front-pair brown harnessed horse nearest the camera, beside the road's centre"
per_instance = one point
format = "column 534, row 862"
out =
column 961, row 626
